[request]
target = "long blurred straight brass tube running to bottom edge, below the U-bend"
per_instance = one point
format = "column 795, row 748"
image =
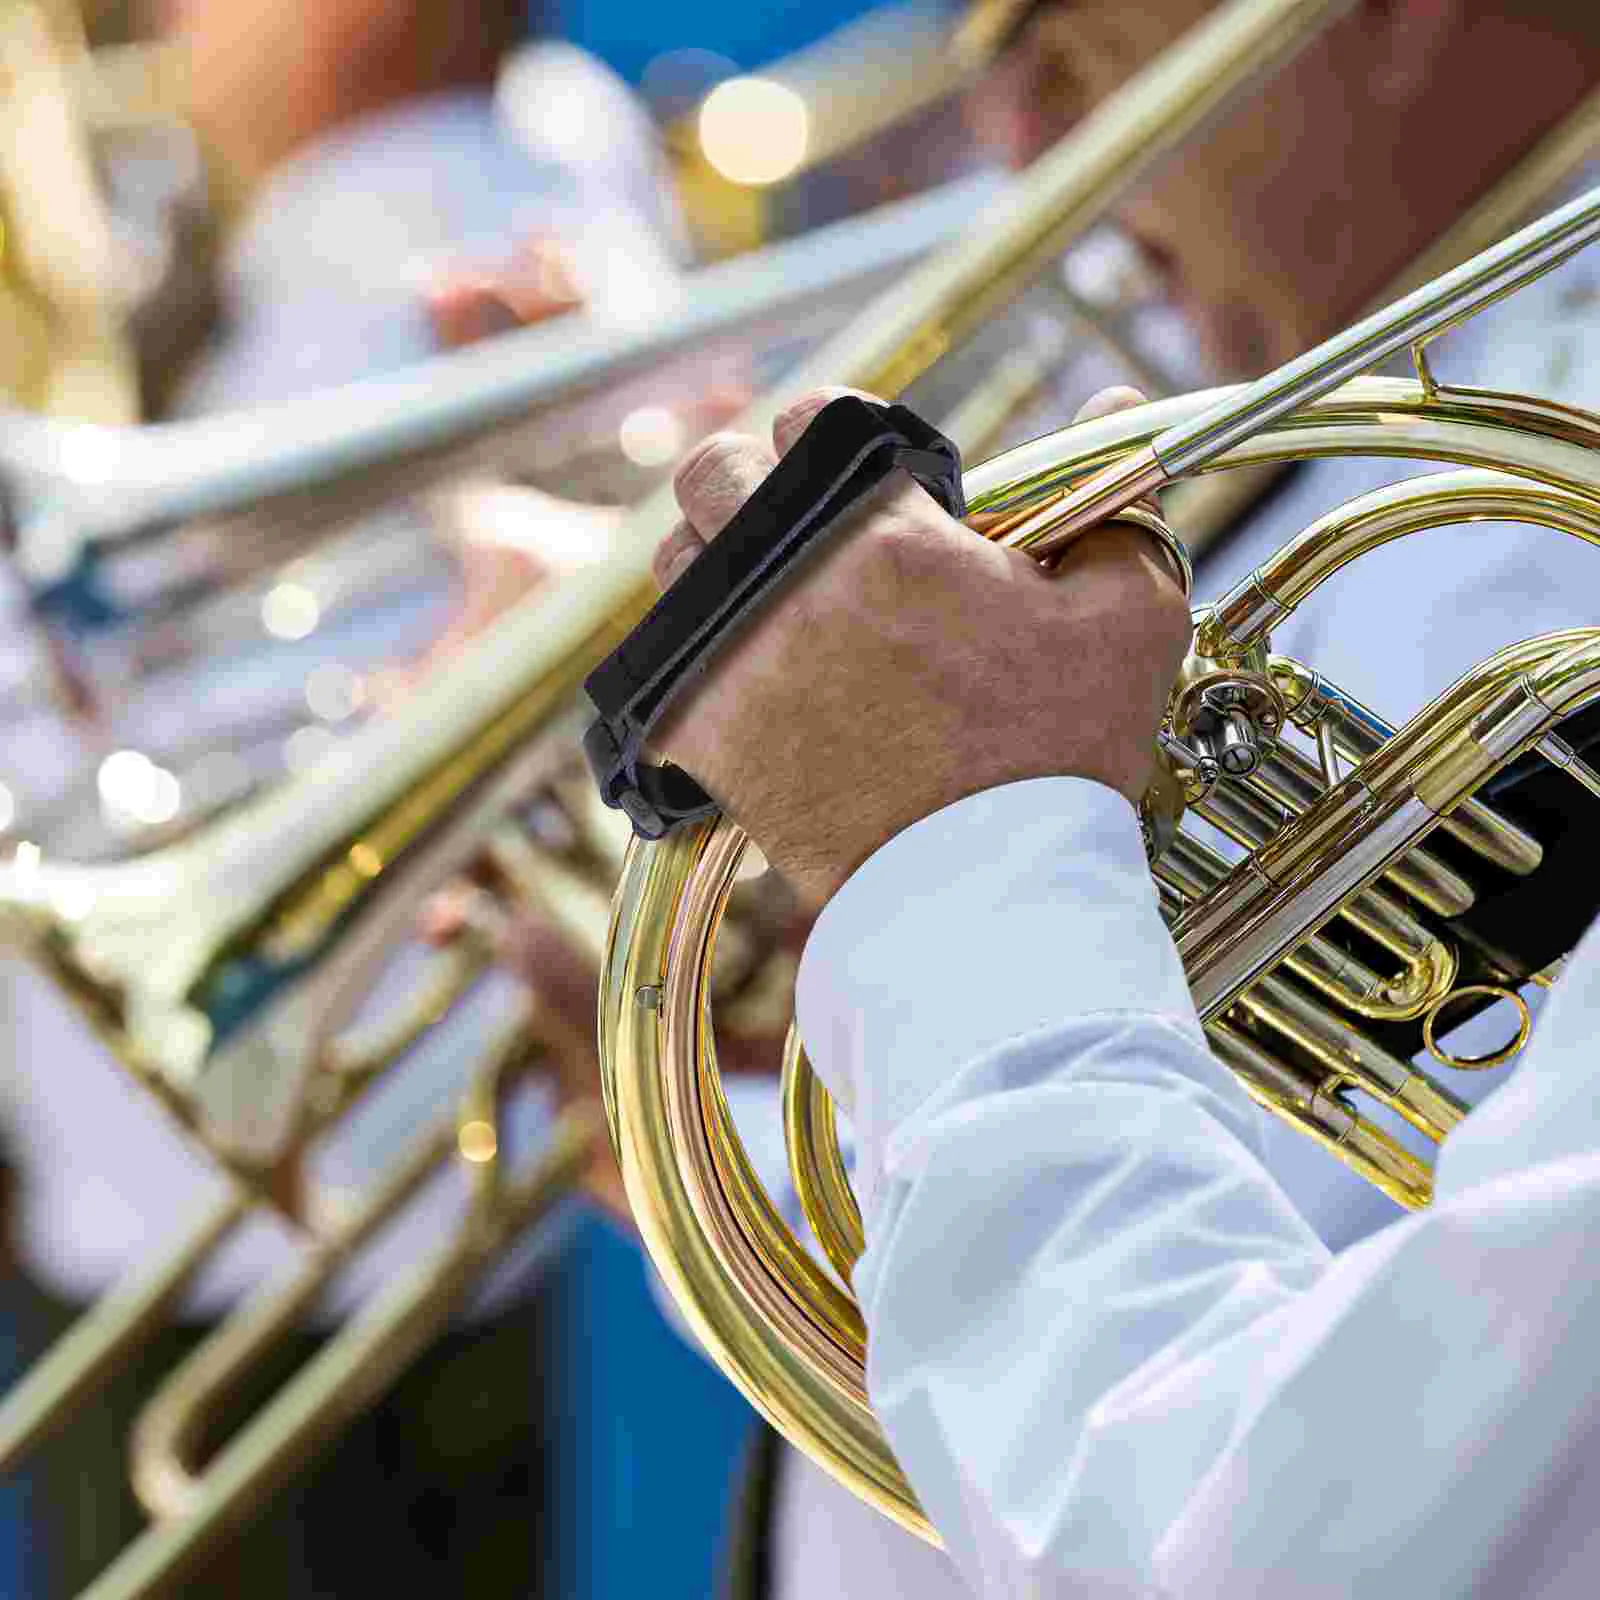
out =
column 343, row 1380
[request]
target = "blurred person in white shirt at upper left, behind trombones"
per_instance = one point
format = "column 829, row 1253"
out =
column 385, row 178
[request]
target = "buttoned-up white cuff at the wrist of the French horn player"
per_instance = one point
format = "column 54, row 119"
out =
column 1006, row 913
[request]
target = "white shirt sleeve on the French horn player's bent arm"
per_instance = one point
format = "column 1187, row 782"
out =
column 1110, row 1354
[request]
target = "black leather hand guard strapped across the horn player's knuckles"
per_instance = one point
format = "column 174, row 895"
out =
column 847, row 452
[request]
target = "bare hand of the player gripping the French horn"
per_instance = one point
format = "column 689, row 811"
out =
column 914, row 663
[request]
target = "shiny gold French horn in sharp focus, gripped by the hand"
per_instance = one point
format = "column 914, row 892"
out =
column 1378, row 887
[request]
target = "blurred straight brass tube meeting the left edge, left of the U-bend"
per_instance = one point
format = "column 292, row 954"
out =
column 100, row 1342
